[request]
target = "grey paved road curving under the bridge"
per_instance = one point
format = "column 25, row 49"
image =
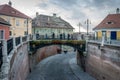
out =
column 54, row 68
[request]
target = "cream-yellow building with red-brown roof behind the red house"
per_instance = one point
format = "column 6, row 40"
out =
column 20, row 23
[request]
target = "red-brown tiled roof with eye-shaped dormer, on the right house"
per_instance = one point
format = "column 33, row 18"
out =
column 112, row 21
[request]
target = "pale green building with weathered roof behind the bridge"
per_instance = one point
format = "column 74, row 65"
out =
column 49, row 26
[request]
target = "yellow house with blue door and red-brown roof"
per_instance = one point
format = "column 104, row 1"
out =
column 109, row 27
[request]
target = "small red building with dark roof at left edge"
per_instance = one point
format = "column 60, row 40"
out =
column 4, row 29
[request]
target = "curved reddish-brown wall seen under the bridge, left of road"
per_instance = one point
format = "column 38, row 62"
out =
column 41, row 54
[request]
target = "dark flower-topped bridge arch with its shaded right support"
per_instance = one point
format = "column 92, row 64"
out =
column 78, row 45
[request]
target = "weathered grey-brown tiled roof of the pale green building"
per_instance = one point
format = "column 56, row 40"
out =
column 50, row 22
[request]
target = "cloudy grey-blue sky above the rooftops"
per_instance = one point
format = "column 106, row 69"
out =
column 72, row 11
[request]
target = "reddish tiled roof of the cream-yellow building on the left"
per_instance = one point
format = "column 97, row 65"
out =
column 10, row 11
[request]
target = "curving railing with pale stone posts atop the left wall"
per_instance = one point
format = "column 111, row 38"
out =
column 7, row 52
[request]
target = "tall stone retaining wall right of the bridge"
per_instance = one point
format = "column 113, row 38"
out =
column 103, row 62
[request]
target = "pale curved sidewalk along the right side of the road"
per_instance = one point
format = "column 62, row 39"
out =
column 78, row 71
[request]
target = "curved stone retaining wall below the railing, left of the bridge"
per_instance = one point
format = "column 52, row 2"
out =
column 19, row 64
